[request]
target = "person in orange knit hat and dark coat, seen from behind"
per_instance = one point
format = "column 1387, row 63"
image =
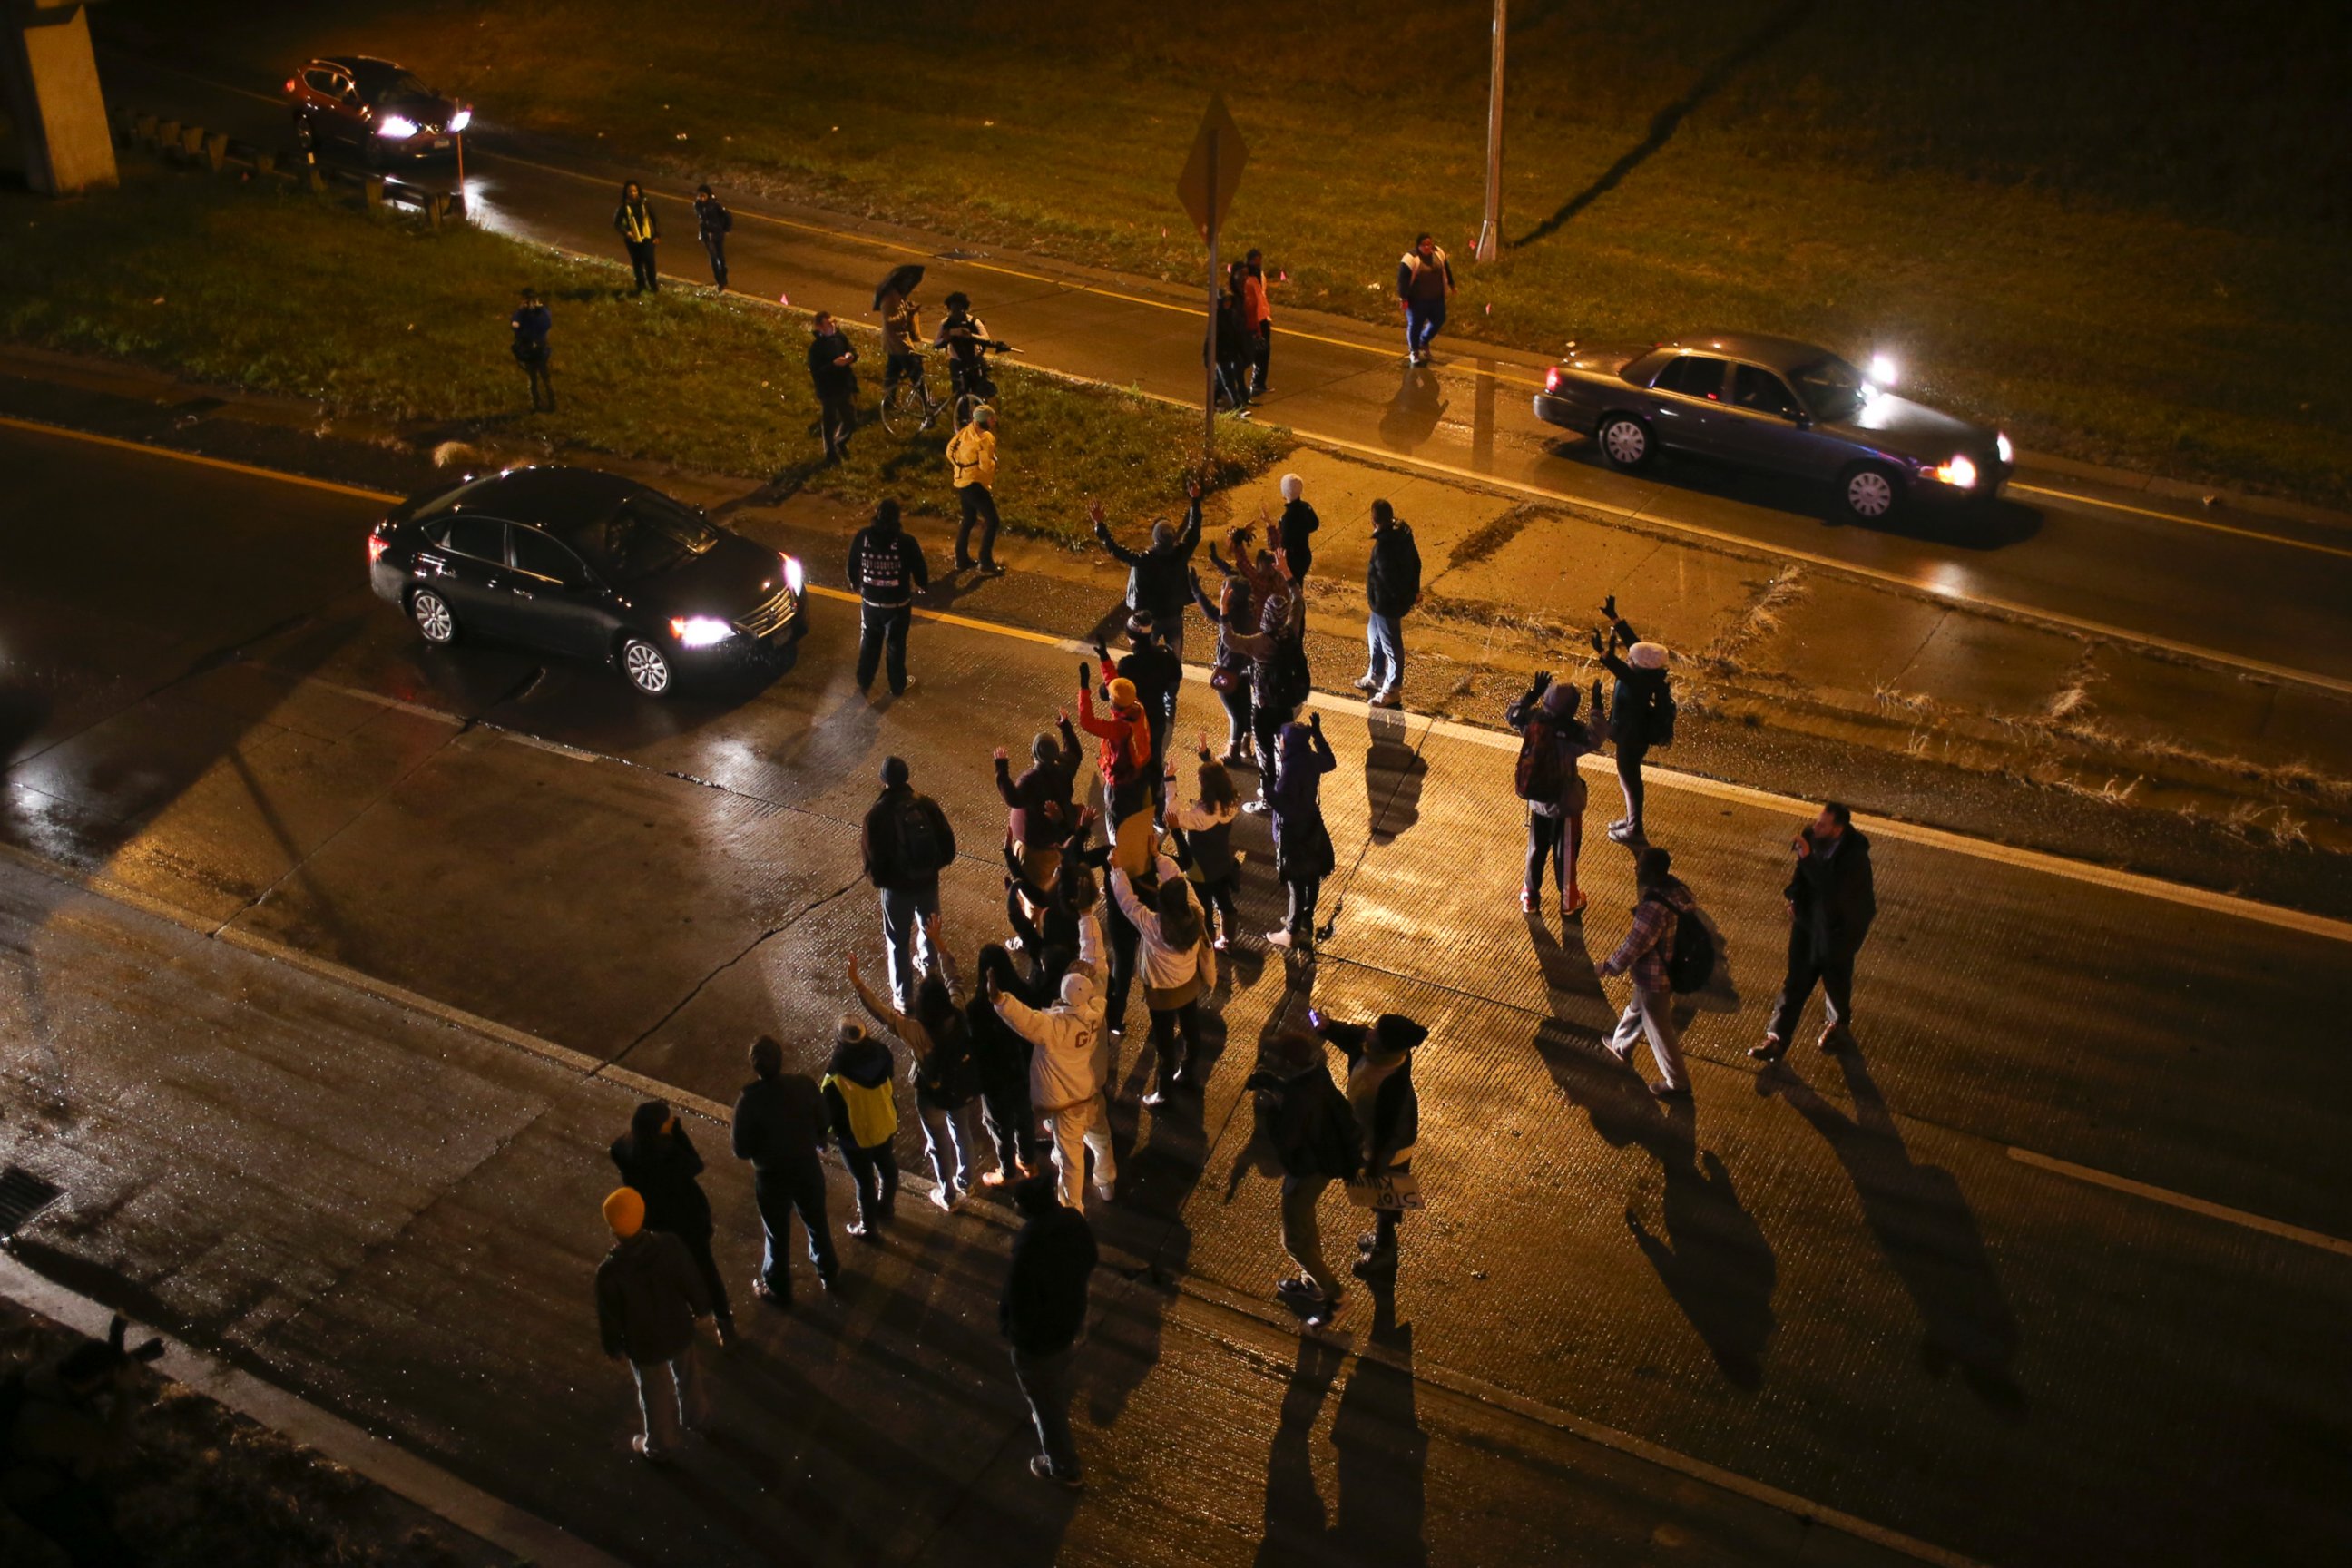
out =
column 648, row 1296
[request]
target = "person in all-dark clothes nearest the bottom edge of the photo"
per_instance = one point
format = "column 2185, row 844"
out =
column 1043, row 1313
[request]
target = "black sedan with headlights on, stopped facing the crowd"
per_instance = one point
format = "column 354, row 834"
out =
column 589, row 565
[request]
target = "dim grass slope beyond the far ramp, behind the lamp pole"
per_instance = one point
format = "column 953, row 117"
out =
column 2116, row 234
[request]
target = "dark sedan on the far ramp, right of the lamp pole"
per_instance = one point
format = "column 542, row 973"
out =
column 1775, row 406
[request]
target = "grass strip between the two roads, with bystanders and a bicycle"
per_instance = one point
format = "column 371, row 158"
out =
column 295, row 295
